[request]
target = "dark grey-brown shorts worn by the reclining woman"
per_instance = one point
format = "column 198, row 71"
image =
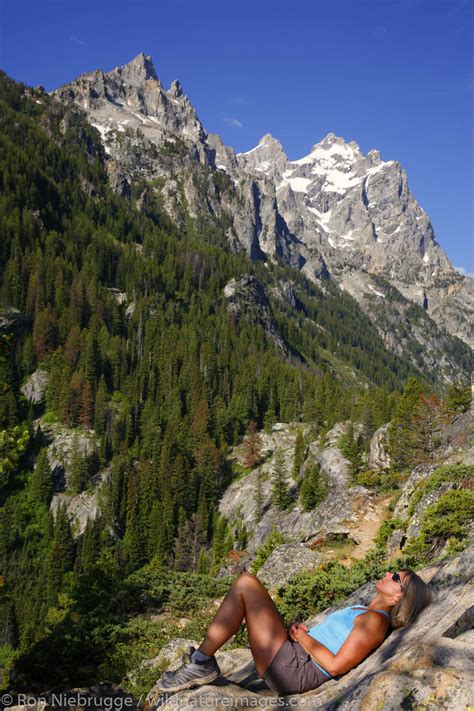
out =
column 292, row 671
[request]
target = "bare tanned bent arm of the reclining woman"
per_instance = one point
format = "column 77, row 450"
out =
column 366, row 635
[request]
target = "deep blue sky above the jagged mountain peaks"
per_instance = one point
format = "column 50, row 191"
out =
column 396, row 75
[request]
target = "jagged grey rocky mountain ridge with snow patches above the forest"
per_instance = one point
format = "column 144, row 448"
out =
column 333, row 212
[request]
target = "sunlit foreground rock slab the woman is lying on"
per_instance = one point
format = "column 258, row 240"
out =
column 428, row 664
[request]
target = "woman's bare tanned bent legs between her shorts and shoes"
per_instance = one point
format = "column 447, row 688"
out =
column 248, row 599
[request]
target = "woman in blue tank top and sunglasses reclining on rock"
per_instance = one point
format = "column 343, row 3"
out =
column 297, row 659
